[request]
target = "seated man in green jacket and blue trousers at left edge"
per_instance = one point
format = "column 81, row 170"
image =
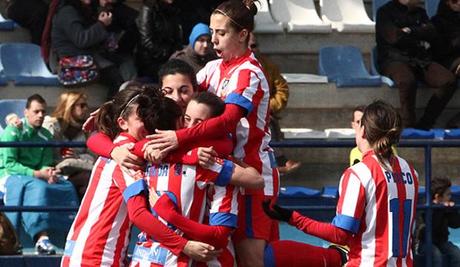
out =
column 28, row 178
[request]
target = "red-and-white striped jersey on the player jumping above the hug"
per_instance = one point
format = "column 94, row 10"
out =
column 242, row 82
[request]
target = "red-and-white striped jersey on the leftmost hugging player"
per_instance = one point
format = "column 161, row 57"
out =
column 99, row 235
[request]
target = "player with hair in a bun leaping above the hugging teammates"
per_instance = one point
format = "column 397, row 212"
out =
column 239, row 79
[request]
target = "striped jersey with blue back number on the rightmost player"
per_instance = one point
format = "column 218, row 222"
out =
column 378, row 206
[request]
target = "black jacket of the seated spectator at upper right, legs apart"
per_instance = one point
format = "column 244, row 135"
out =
column 395, row 45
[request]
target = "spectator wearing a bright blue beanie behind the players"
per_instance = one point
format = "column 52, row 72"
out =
column 199, row 50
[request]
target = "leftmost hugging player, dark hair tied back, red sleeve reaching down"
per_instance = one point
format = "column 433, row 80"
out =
column 99, row 234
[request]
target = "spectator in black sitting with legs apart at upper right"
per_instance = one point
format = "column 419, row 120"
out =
column 405, row 37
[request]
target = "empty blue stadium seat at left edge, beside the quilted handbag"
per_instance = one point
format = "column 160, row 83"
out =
column 24, row 65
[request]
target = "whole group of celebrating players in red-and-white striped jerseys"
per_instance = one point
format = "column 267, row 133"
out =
column 207, row 196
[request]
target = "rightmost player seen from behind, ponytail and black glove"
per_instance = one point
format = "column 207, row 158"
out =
column 376, row 206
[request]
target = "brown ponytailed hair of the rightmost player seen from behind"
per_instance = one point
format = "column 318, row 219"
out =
column 382, row 127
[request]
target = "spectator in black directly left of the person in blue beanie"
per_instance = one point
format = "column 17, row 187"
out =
column 160, row 36
